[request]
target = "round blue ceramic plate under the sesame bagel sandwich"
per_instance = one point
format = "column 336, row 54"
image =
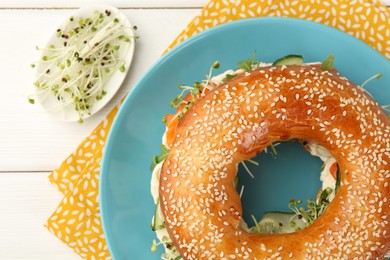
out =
column 126, row 204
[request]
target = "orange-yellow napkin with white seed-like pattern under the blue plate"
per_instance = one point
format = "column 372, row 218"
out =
column 77, row 219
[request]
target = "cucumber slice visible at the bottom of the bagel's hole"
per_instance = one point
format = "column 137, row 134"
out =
column 279, row 223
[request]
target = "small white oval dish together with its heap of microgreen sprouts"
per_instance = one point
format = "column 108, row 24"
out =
column 84, row 62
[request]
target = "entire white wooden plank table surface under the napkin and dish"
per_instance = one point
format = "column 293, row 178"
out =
column 32, row 143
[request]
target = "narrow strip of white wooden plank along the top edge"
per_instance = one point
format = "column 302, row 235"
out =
column 116, row 3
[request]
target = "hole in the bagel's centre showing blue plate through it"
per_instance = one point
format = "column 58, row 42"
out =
column 291, row 173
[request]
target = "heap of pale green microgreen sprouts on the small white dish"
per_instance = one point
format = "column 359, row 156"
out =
column 76, row 67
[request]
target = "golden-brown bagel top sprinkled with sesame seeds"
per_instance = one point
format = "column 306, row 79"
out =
column 241, row 117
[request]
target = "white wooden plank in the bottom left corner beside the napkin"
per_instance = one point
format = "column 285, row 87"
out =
column 26, row 201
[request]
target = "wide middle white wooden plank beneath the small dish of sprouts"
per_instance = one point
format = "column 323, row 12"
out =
column 30, row 139
